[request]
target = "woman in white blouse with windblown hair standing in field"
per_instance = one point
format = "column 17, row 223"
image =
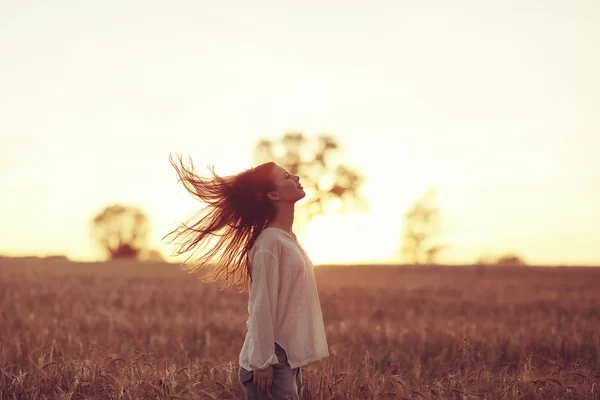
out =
column 248, row 224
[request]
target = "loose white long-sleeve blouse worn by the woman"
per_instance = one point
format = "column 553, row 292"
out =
column 283, row 304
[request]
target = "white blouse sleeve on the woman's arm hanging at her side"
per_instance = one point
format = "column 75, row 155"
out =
column 263, row 309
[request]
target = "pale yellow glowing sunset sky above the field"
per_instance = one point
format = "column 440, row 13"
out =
column 493, row 103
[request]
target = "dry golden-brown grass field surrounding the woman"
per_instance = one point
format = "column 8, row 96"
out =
column 122, row 330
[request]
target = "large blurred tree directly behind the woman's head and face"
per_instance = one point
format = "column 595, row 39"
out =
column 329, row 183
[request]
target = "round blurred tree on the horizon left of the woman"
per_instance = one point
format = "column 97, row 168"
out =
column 121, row 231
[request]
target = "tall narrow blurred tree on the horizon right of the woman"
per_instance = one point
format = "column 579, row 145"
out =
column 421, row 230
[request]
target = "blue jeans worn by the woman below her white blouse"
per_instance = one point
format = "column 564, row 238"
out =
column 287, row 382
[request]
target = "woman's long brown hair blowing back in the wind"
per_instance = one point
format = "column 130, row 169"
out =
column 223, row 232
